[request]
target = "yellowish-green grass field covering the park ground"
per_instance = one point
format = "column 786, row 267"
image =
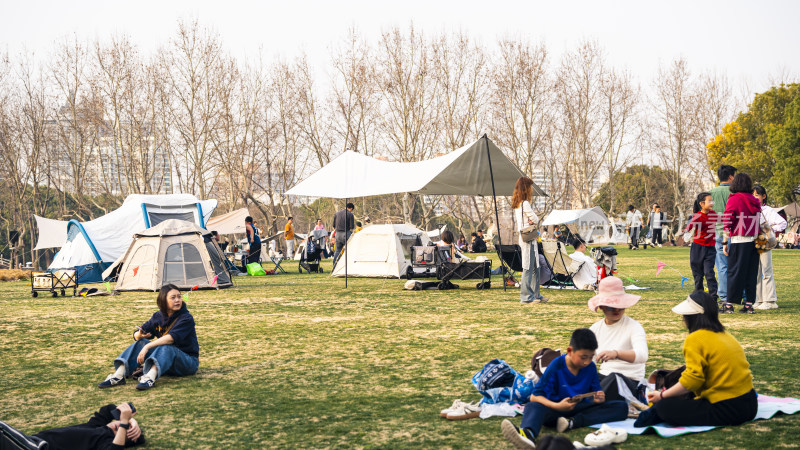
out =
column 298, row 361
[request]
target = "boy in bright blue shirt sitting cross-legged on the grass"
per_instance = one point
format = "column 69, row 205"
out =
column 554, row 401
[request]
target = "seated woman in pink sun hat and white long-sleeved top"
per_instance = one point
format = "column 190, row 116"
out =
column 622, row 342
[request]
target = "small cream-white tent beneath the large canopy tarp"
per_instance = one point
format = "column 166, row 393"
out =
column 380, row 251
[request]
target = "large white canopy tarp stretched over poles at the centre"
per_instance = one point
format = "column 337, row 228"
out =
column 462, row 172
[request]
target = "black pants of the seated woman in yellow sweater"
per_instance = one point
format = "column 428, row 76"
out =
column 689, row 412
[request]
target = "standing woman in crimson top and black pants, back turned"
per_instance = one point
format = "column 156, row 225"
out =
column 740, row 223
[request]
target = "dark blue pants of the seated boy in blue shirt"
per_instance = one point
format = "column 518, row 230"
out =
column 584, row 414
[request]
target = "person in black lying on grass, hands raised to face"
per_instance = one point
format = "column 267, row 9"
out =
column 102, row 431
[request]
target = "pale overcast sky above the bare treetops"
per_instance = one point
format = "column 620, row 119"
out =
column 750, row 41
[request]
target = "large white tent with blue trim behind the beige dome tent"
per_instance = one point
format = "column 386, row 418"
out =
column 92, row 246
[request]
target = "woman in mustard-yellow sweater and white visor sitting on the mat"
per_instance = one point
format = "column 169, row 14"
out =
column 717, row 374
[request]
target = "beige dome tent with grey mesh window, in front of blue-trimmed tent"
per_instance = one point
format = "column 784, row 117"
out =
column 174, row 251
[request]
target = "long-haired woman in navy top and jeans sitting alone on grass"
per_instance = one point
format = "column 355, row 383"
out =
column 174, row 350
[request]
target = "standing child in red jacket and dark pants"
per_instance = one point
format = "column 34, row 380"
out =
column 703, row 225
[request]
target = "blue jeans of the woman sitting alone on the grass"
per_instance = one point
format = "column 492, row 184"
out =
column 168, row 359
